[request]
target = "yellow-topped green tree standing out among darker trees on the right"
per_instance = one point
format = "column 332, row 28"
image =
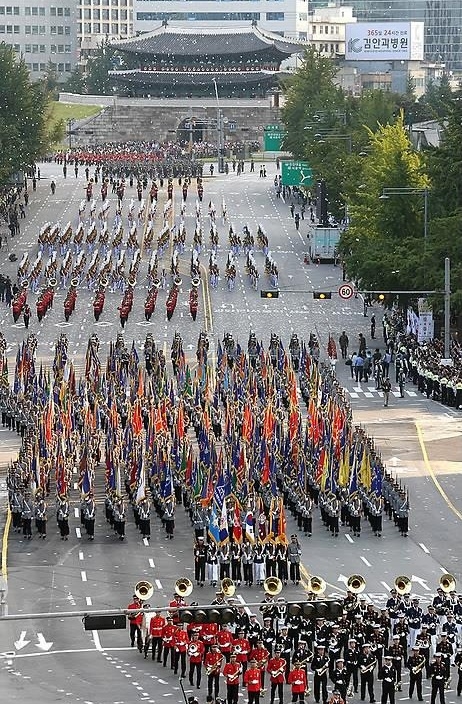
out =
column 383, row 247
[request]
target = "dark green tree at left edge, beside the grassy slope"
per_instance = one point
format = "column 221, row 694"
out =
column 23, row 104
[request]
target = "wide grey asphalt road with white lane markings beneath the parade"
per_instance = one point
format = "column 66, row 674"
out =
column 55, row 659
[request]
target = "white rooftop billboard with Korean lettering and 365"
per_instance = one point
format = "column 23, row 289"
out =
column 384, row 41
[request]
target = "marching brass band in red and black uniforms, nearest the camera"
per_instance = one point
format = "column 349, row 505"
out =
column 274, row 650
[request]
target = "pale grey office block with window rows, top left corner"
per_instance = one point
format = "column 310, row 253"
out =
column 44, row 34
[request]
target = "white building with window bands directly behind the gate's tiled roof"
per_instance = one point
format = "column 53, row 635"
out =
column 288, row 18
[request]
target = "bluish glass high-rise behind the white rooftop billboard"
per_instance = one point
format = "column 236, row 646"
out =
column 442, row 18
